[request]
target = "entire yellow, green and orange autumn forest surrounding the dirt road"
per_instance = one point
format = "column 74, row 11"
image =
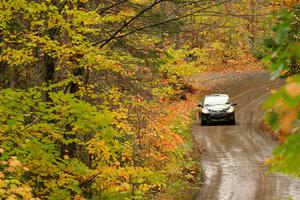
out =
column 94, row 100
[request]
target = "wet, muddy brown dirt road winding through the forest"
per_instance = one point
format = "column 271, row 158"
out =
column 233, row 162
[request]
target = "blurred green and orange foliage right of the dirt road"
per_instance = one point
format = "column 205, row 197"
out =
column 283, row 106
